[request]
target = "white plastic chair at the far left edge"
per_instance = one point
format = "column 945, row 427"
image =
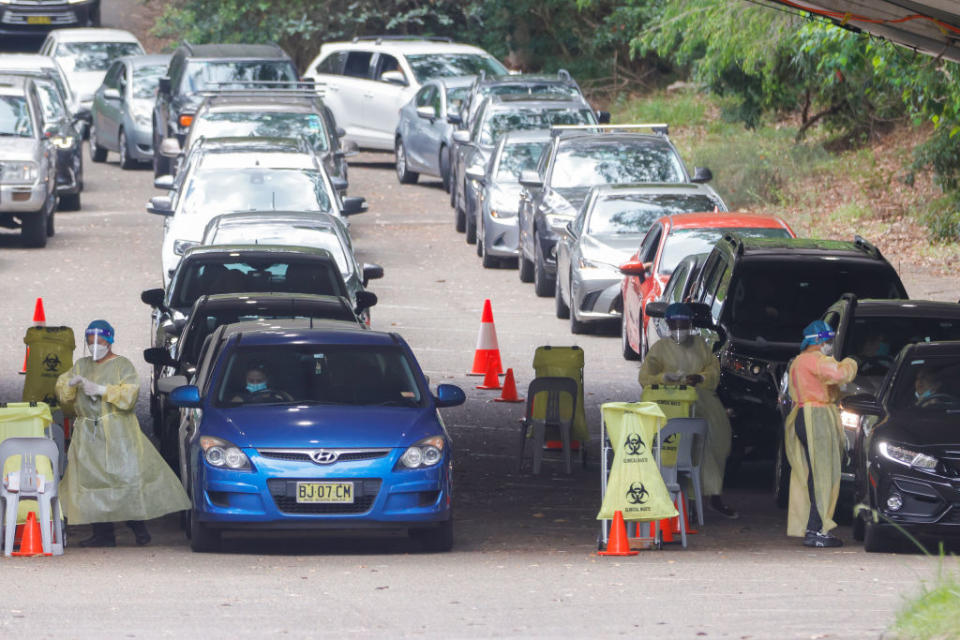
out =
column 32, row 486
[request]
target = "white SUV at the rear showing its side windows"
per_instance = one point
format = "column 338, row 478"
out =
column 365, row 82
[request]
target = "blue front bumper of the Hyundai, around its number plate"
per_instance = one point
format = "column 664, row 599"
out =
column 265, row 497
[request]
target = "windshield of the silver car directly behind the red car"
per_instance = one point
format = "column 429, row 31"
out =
column 634, row 213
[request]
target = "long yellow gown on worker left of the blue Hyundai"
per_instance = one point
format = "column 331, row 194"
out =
column 113, row 473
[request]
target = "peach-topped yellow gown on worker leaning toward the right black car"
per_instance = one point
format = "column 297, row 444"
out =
column 815, row 381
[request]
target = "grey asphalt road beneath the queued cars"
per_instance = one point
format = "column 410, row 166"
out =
column 524, row 564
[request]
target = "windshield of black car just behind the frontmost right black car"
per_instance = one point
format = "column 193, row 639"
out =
column 877, row 340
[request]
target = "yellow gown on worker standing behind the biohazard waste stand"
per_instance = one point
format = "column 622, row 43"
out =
column 695, row 357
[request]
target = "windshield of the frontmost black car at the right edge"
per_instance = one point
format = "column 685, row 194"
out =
column 928, row 385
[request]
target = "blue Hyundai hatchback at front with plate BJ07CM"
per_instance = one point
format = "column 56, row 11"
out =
column 324, row 427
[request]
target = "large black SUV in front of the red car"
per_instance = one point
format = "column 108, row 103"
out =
column 762, row 293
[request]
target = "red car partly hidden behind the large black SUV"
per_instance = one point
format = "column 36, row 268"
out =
column 670, row 240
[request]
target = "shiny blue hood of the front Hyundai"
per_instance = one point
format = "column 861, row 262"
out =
column 306, row 426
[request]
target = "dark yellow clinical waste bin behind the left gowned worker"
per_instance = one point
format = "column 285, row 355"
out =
column 51, row 354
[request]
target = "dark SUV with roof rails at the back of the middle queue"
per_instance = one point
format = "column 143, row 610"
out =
column 196, row 70
